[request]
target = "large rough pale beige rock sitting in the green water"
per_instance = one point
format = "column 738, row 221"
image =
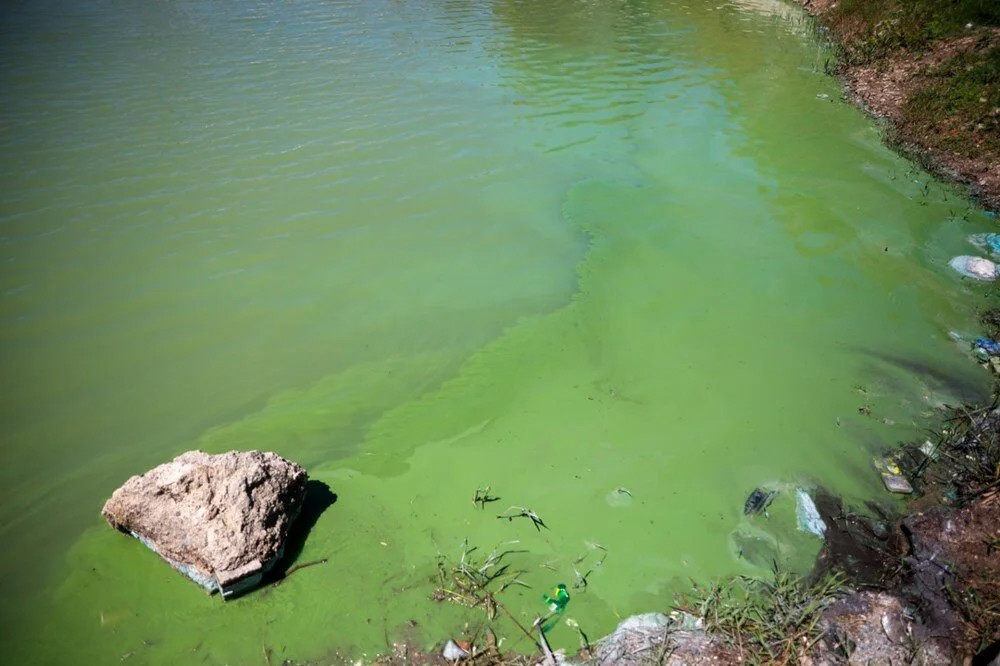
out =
column 220, row 519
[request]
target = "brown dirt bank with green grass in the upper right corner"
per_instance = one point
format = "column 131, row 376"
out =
column 931, row 70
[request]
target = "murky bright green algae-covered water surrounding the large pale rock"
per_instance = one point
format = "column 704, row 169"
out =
column 620, row 261
